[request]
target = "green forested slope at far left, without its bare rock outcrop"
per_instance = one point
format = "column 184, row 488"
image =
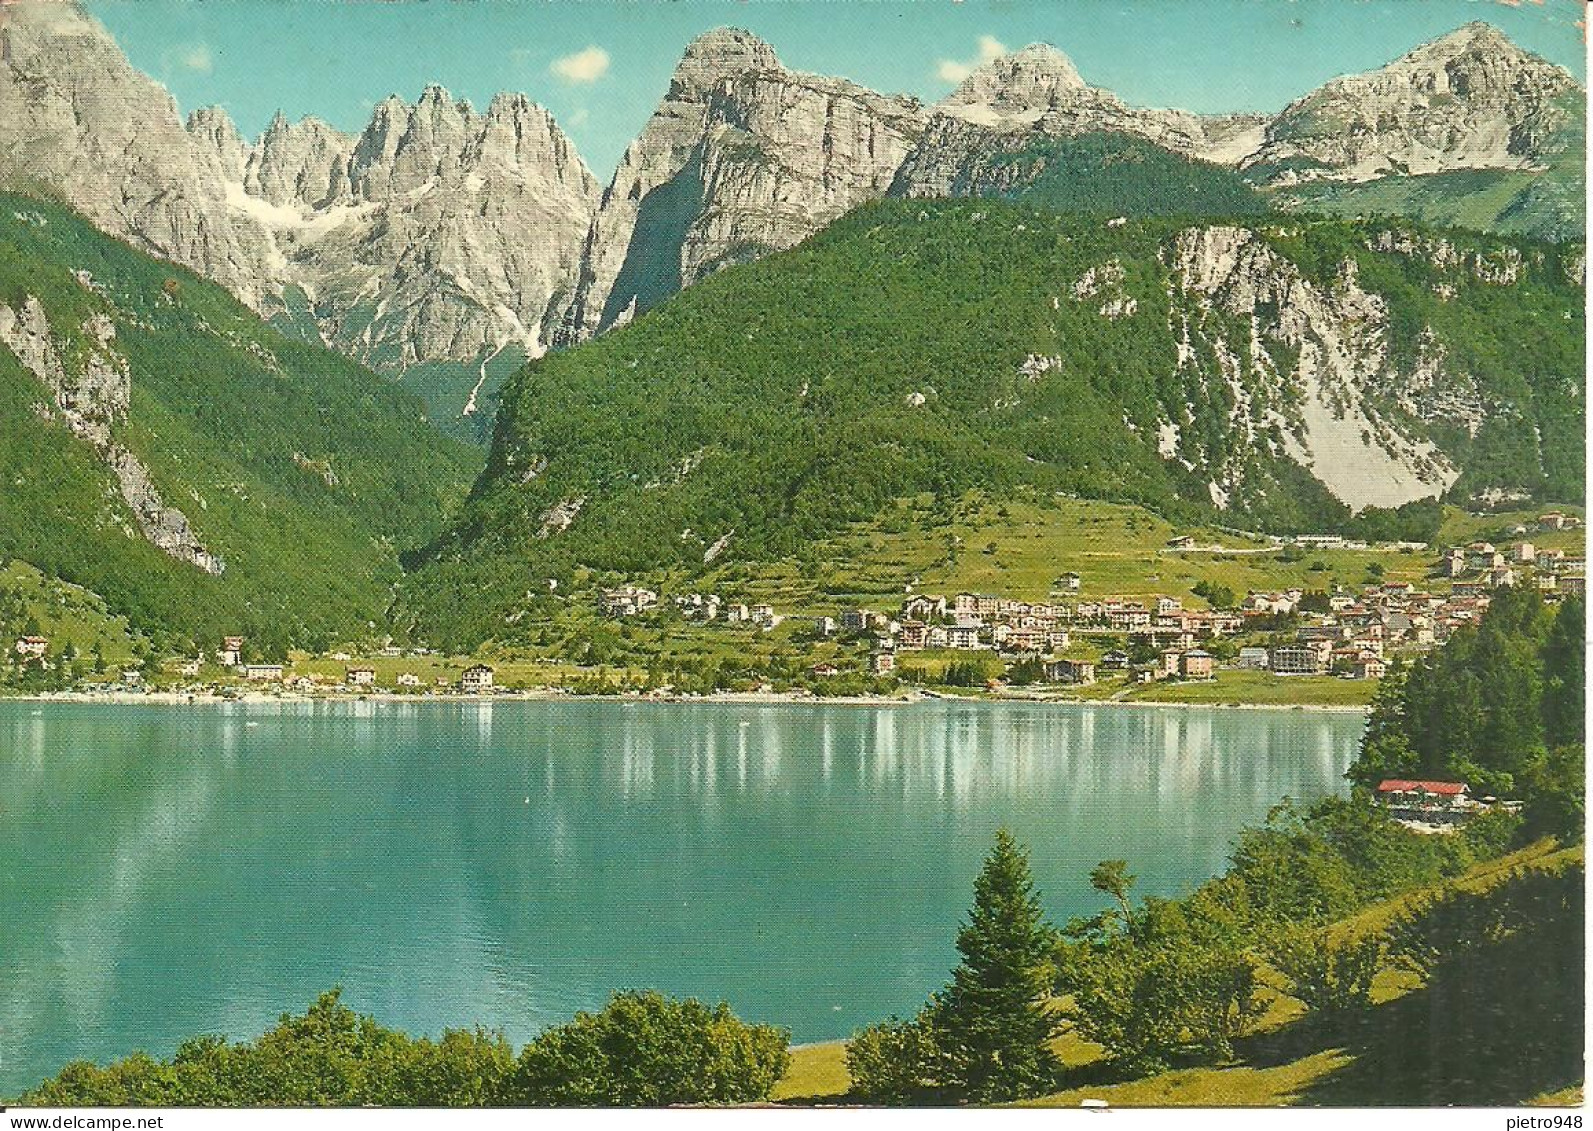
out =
column 302, row 471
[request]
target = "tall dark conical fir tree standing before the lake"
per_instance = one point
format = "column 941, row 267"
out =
column 995, row 1022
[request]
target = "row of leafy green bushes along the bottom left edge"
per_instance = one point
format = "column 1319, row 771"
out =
column 641, row 1051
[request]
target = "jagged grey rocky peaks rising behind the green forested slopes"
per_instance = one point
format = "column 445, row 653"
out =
column 448, row 246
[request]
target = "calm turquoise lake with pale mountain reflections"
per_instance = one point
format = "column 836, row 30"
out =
column 168, row 872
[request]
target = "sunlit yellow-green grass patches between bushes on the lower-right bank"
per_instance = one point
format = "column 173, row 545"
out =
column 1288, row 1066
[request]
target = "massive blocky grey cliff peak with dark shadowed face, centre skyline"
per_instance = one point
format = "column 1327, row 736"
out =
column 742, row 158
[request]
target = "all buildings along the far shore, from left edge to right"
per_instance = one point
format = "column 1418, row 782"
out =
column 1074, row 644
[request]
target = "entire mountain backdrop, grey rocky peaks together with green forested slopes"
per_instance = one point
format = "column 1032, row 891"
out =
column 238, row 377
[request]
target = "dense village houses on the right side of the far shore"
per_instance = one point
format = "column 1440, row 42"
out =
column 1076, row 640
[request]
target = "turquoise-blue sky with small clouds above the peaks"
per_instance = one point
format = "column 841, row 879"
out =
column 601, row 66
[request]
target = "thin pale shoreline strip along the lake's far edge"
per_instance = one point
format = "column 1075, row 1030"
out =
column 557, row 695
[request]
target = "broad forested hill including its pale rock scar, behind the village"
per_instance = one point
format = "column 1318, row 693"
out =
column 1277, row 375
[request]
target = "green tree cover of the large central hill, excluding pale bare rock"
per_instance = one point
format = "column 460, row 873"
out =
column 778, row 404
